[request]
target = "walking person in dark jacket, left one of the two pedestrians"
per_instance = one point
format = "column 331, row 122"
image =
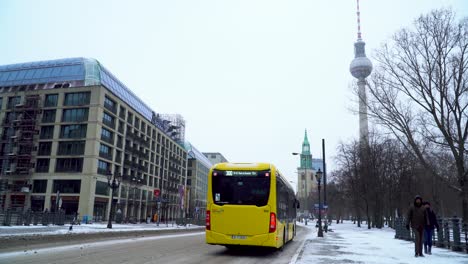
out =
column 417, row 219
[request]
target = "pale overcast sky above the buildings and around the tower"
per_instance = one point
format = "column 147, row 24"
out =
column 247, row 76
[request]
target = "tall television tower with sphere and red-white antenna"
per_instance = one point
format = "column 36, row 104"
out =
column 361, row 68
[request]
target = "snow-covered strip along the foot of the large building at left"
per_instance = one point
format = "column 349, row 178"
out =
column 12, row 231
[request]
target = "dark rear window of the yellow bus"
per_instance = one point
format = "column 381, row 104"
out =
column 241, row 187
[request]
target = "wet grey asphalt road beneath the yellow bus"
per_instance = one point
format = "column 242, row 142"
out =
column 166, row 249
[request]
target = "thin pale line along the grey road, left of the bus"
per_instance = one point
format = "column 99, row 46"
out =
column 81, row 246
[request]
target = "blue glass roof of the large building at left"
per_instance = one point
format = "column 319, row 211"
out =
column 76, row 72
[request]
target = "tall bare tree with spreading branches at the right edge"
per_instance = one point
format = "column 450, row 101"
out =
column 419, row 92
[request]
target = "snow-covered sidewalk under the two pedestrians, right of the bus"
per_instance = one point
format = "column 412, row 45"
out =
column 350, row 244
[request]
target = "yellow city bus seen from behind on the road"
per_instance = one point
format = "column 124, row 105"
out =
column 249, row 204
